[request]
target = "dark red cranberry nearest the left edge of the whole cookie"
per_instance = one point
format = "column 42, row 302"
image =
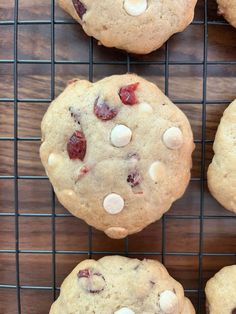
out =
column 76, row 147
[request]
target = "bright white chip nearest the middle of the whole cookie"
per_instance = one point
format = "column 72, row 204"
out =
column 121, row 135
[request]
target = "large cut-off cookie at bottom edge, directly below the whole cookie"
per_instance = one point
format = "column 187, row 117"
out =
column 120, row 285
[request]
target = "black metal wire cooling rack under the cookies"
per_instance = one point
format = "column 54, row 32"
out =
column 129, row 62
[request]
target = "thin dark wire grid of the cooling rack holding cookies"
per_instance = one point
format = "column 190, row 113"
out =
column 53, row 214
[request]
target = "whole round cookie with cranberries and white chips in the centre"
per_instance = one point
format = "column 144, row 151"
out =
column 117, row 152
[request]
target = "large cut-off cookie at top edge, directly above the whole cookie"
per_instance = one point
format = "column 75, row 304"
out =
column 138, row 26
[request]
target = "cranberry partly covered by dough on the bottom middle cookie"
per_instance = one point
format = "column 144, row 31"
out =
column 91, row 280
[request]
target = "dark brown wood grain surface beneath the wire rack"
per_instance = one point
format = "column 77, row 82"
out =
column 35, row 196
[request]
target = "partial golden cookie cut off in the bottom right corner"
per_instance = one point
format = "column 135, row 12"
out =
column 221, row 292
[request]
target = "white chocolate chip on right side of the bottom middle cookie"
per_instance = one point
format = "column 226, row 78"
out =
column 168, row 302
